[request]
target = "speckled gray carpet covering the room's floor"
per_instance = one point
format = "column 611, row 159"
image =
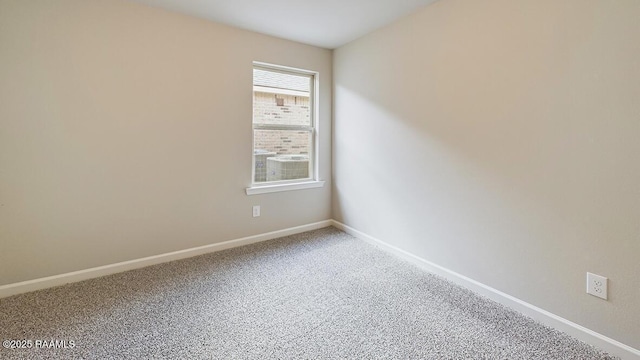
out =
column 318, row 295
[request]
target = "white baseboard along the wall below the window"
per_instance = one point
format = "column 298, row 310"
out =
column 75, row 276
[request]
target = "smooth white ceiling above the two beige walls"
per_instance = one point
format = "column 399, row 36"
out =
column 323, row 23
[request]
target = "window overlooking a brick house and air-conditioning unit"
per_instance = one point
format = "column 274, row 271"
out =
column 283, row 126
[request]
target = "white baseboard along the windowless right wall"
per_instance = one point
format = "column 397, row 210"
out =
column 577, row 331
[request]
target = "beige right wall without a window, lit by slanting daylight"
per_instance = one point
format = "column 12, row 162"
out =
column 500, row 139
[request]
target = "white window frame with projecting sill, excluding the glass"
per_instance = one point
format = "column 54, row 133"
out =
column 293, row 184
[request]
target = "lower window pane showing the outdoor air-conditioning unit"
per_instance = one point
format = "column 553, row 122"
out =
column 281, row 154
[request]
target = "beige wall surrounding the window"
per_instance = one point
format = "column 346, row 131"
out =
column 125, row 131
